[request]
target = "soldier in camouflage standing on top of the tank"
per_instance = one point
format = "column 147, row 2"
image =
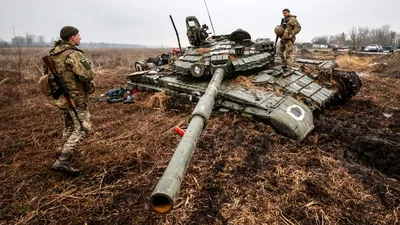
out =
column 291, row 27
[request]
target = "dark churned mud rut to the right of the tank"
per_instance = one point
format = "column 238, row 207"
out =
column 368, row 134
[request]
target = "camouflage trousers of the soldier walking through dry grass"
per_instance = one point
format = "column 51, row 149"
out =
column 73, row 133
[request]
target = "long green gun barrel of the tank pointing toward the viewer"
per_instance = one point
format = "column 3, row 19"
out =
column 163, row 197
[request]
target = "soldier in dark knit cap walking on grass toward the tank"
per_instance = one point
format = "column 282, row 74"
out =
column 71, row 64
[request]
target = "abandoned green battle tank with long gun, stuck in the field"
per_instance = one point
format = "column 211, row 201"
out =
column 205, row 73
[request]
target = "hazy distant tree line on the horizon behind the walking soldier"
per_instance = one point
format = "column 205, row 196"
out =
column 31, row 40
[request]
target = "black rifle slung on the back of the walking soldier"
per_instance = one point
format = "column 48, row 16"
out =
column 62, row 87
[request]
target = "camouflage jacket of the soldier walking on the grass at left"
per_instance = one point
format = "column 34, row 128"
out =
column 71, row 63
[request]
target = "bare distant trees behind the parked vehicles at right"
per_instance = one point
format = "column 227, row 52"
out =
column 357, row 37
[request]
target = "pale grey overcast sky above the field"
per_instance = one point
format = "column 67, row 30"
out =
column 147, row 22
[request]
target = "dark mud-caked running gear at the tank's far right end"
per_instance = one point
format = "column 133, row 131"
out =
column 348, row 84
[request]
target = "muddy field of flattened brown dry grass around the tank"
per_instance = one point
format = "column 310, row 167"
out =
column 242, row 172
